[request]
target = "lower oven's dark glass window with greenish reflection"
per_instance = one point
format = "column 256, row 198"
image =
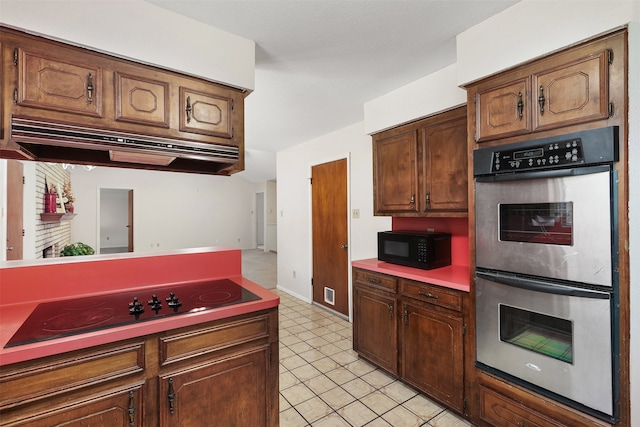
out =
column 540, row 333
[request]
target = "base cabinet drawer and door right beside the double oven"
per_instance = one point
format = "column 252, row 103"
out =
column 432, row 356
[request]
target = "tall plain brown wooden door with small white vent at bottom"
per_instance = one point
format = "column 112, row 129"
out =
column 330, row 236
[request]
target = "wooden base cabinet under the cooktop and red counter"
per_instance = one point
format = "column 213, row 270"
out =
column 218, row 373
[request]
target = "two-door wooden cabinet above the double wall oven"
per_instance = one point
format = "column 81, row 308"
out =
column 568, row 88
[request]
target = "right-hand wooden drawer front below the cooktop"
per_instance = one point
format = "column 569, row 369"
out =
column 192, row 342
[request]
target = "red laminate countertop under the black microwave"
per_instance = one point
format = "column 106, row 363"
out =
column 453, row 276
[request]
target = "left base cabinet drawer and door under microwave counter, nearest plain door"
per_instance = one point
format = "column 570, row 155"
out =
column 375, row 324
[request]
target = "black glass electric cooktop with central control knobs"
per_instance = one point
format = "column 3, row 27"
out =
column 58, row 319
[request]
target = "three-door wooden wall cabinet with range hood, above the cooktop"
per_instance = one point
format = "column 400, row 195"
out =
column 79, row 88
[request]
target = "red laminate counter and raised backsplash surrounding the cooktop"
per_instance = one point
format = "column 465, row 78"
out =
column 23, row 285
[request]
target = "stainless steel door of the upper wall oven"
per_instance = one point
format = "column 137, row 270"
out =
column 554, row 226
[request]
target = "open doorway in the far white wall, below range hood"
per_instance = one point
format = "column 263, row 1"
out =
column 116, row 220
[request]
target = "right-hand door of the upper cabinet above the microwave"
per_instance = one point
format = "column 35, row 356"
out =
column 445, row 166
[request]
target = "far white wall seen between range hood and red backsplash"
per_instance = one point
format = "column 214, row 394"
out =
column 170, row 210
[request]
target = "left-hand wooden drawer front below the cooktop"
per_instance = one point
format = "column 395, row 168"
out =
column 30, row 381
